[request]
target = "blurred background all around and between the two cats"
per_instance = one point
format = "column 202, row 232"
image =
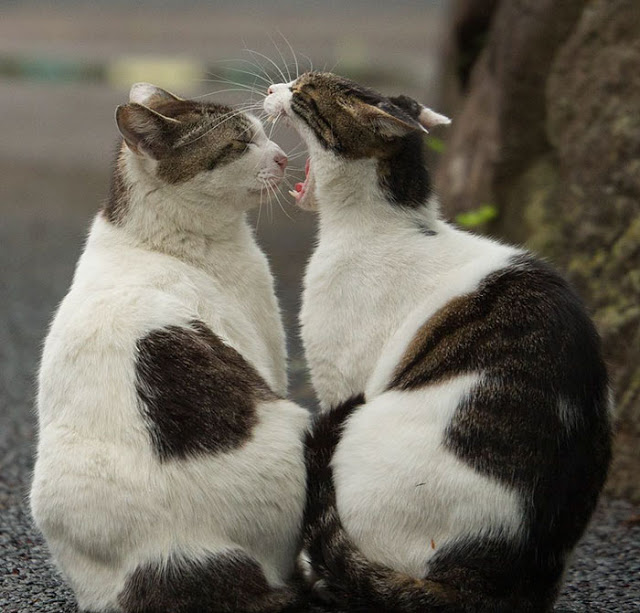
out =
column 544, row 150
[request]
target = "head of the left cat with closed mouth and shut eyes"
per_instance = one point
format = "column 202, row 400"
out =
column 203, row 148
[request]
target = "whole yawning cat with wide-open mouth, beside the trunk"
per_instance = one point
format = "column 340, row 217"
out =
column 464, row 434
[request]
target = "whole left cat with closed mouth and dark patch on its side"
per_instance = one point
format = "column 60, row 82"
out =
column 170, row 467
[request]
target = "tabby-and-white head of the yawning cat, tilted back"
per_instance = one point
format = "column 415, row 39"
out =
column 341, row 119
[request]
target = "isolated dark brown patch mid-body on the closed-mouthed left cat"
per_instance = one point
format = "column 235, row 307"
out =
column 197, row 394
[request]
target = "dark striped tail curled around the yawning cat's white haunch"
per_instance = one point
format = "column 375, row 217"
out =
column 344, row 574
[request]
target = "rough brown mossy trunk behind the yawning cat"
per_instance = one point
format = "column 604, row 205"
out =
column 548, row 133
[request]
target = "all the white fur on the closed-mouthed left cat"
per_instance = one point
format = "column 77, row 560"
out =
column 100, row 496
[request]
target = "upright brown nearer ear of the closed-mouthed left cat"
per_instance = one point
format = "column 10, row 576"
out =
column 145, row 131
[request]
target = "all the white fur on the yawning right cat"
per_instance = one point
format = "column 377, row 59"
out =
column 372, row 281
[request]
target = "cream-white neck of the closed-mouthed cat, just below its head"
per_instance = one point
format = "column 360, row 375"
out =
column 161, row 218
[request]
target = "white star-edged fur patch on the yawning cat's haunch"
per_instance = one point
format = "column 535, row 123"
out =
column 401, row 495
